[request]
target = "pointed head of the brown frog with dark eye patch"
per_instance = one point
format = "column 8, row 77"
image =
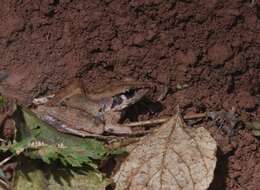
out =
column 119, row 96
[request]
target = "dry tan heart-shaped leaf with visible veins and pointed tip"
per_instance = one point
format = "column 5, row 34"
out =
column 173, row 157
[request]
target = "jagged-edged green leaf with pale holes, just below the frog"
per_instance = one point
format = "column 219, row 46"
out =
column 69, row 149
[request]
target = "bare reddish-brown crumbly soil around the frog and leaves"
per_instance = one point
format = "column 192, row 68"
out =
column 211, row 46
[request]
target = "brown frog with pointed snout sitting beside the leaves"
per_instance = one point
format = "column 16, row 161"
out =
column 79, row 111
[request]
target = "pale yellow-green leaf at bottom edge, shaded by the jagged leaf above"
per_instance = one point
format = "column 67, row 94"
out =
column 30, row 177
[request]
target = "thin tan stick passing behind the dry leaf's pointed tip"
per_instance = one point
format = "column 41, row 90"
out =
column 163, row 120
